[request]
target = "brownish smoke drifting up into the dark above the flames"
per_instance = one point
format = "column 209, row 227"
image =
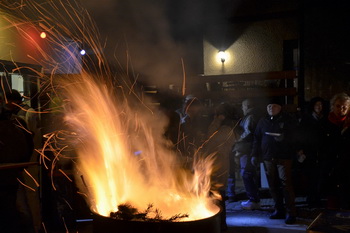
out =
column 139, row 37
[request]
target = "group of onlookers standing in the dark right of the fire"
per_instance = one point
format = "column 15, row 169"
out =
column 312, row 144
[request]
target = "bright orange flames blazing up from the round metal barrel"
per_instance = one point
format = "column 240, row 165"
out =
column 111, row 132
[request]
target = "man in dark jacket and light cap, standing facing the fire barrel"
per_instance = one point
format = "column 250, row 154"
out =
column 274, row 139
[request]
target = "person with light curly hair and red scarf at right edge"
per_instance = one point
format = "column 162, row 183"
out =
column 337, row 162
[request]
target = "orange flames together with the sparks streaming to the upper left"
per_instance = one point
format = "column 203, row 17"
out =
column 107, row 122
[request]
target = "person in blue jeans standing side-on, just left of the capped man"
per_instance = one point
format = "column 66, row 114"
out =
column 242, row 150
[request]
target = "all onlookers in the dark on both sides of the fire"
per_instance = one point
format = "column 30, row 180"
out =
column 314, row 143
